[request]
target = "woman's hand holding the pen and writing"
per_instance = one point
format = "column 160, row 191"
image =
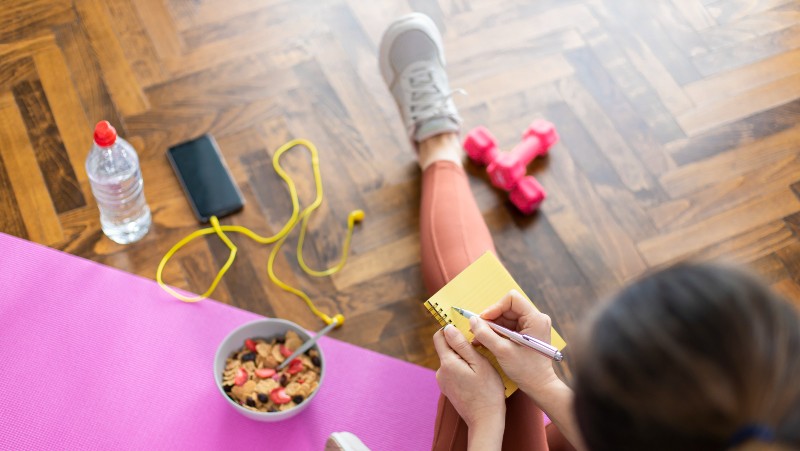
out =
column 532, row 371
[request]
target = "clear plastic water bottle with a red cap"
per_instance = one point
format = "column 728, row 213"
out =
column 113, row 169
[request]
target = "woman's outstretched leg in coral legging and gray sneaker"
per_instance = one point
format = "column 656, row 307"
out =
column 453, row 233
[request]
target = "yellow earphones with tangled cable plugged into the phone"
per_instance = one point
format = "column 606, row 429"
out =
column 280, row 237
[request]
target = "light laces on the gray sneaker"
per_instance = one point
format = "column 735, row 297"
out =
column 427, row 101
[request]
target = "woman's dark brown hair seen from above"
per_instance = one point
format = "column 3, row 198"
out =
column 684, row 359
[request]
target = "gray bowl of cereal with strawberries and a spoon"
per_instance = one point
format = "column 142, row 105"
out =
column 245, row 370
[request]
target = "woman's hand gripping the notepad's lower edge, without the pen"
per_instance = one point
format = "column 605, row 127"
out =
column 472, row 385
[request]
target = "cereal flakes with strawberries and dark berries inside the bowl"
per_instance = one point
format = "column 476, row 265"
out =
column 251, row 378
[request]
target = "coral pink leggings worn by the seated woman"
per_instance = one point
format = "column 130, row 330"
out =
column 453, row 234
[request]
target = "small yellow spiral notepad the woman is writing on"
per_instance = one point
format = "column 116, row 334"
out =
column 480, row 285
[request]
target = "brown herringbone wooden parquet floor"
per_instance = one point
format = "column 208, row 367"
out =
column 680, row 125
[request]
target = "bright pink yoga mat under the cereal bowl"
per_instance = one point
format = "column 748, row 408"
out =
column 95, row 358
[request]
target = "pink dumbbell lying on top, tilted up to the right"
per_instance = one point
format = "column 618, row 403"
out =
column 507, row 168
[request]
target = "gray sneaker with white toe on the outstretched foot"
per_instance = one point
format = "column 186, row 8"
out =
column 412, row 64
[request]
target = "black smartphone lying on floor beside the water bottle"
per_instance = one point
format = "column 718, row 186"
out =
column 205, row 178
